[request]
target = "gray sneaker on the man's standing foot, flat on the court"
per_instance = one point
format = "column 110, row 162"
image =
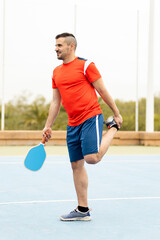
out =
column 76, row 215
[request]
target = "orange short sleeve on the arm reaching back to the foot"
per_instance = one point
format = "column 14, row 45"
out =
column 92, row 73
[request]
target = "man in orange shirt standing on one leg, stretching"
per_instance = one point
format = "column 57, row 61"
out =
column 74, row 84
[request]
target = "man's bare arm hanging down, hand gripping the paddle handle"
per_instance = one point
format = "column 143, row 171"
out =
column 53, row 112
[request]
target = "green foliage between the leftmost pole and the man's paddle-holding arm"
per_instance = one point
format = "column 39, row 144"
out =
column 22, row 116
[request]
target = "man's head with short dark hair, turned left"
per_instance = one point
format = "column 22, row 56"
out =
column 66, row 44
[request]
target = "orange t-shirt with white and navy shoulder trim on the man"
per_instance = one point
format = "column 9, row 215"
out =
column 78, row 96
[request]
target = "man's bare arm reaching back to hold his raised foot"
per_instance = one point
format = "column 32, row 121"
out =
column 101, row 89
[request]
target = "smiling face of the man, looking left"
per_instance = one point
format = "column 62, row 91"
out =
column 62, row 49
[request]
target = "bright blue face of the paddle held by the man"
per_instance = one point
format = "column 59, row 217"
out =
column 35, row 158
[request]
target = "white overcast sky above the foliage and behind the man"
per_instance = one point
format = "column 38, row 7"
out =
column 106, row 32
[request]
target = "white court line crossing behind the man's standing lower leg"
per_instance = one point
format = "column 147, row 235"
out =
column 74, row 200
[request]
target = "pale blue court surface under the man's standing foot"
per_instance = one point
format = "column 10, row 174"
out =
column 124, row 194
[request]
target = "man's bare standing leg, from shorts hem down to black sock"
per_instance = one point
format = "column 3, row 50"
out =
column 81, row 182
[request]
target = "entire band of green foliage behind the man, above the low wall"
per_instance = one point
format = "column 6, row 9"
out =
column 20, row 115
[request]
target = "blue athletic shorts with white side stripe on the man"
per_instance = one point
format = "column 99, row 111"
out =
column 85, row 138
